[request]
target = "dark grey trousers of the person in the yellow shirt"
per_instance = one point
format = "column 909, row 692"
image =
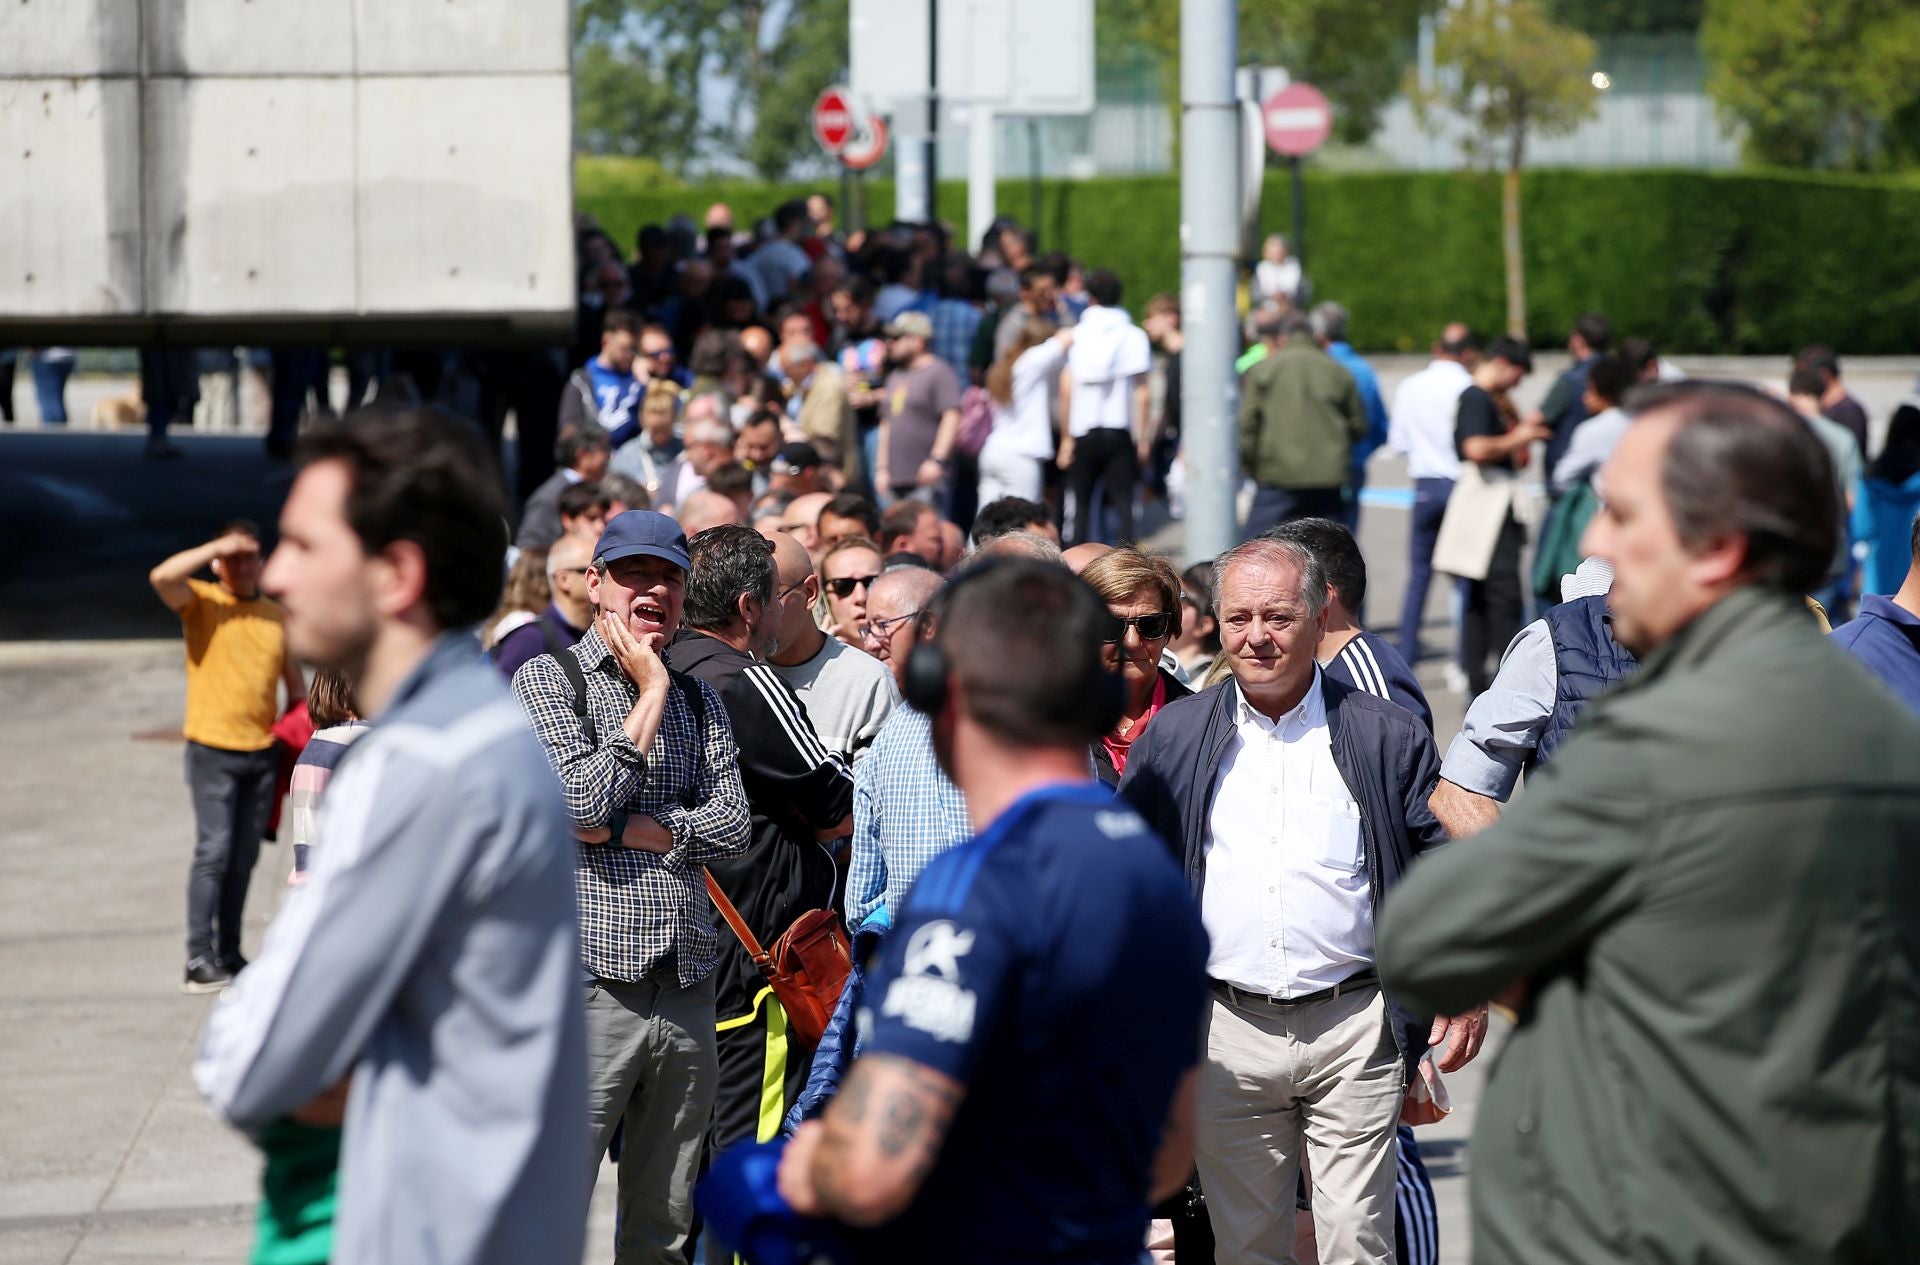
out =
column 233, row 800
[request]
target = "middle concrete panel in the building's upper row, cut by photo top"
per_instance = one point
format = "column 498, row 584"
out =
column 249, row 37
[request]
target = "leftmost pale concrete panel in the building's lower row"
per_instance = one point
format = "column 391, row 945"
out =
column 70, row 199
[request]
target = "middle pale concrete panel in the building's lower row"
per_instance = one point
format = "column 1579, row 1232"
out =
column 251, row 197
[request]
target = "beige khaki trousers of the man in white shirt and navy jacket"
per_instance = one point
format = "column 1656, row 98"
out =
column 1322, row 1078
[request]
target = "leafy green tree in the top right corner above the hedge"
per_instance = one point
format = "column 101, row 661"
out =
column 1819, row 84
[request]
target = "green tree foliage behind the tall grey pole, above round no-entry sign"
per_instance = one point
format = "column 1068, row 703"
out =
column 1351, row 51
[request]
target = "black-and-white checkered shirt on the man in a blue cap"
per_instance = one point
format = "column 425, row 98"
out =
column 638, row 911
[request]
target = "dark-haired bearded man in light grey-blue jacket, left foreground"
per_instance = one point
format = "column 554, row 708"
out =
column 429, row 968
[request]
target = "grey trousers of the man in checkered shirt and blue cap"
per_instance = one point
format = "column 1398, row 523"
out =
column 652, row 1064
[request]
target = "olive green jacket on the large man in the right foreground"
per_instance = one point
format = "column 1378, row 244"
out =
column 1716, row 897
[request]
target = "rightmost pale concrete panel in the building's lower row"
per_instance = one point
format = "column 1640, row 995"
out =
column 464, row 201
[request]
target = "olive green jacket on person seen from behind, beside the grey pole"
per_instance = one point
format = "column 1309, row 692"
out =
column 1301, row 418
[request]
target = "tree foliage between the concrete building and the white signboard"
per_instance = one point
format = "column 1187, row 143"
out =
column 706, row 84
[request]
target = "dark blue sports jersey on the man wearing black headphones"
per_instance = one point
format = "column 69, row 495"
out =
column 1057, row 968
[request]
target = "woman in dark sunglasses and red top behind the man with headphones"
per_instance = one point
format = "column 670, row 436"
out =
column 1145, row 596
